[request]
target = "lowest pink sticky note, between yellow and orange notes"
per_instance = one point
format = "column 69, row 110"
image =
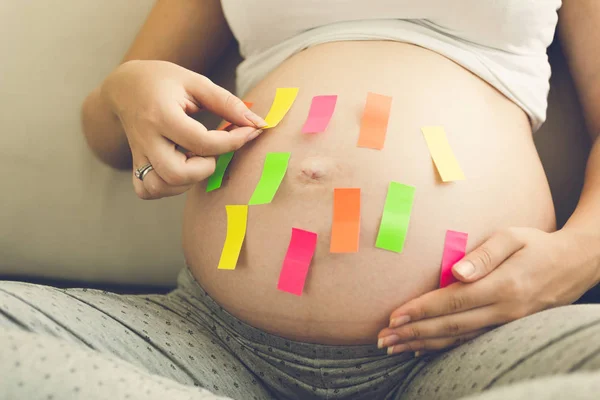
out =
column 297, row 260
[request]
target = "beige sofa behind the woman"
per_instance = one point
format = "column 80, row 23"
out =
column 65, row 215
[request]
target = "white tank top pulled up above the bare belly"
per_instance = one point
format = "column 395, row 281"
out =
column 502, row 41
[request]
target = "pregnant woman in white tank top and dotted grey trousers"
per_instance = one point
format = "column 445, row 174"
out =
column 478, row 68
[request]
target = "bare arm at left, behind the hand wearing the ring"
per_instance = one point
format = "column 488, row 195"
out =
column 189, row 33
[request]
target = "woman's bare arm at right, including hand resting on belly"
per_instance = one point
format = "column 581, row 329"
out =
column 518, row 272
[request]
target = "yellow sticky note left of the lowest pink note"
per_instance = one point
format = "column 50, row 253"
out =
column 237, row 217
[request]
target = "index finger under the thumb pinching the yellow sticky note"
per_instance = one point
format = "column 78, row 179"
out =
column 192, row 135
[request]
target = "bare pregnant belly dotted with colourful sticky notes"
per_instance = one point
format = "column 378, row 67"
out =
column 348, row 297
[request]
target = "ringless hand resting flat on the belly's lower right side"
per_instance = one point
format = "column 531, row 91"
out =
column 515, row 273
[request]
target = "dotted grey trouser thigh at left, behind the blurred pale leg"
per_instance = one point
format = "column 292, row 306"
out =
column 159, row 334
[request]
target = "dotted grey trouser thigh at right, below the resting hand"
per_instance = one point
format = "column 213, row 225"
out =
column 556, row 341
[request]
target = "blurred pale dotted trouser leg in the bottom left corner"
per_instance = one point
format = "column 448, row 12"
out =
column 42, row 367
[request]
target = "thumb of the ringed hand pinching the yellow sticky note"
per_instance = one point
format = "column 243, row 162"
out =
column 222, row 102
